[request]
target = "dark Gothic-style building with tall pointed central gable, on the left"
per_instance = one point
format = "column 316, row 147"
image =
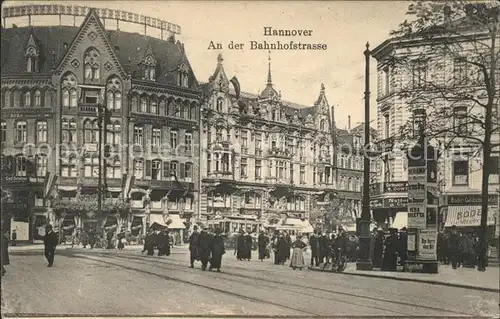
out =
column 57, row 80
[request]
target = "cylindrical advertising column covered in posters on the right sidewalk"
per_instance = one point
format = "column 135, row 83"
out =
column 422, row 209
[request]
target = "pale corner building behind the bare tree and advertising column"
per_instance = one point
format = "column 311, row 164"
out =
column 429, row 74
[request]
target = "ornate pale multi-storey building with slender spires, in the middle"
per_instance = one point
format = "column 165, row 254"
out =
column 267, row 159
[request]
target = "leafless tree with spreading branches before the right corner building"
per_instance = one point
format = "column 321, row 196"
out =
column 448, row 62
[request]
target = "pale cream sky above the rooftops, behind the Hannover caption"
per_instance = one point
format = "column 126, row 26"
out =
column 344, row 26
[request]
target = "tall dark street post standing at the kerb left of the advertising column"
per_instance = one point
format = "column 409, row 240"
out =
column 364, row 262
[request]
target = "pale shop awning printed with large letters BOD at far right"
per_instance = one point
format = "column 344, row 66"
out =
column 469, row 216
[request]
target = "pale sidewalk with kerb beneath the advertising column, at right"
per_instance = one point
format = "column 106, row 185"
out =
column 461, row 278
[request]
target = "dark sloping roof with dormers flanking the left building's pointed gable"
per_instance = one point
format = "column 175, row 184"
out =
column 130, row 49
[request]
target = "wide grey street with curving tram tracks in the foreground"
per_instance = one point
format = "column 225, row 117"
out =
column 84, row 282
